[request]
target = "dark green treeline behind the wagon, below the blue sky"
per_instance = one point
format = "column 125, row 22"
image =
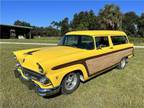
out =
column 109, row 18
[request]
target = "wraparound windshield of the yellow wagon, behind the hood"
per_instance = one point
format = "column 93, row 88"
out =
column 78, row 41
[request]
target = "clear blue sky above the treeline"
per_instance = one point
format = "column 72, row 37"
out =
column 43, row 12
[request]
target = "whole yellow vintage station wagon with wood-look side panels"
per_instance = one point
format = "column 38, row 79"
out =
column 79, row 56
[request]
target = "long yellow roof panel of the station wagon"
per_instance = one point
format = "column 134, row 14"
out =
column 97, row 32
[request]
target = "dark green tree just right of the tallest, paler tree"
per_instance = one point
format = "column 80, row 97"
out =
column 130, row 23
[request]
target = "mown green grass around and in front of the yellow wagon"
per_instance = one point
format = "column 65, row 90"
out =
column 115, row 89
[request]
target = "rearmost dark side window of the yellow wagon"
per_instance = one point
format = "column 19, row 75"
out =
column 117, row 40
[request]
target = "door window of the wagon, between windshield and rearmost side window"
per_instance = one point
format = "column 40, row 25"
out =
column 102, row 42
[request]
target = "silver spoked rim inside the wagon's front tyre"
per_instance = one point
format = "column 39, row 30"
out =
column 71, row 81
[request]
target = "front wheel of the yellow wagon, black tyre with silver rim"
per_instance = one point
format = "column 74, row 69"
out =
column 70, row 83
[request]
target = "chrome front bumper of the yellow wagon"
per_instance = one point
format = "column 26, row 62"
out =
column 33, row 86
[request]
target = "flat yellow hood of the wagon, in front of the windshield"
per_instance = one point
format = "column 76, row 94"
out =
column 52, row 53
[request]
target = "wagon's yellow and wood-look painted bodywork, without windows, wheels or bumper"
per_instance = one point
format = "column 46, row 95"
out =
column 58, row 61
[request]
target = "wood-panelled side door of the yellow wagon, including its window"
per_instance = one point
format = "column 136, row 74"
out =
column 104, row 58
